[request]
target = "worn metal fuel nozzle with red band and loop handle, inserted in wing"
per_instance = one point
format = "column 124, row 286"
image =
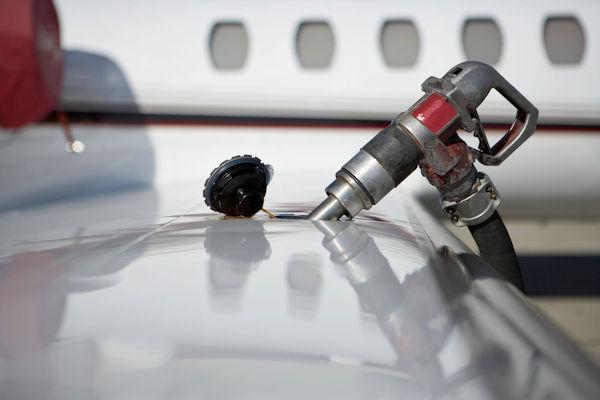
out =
column 425, row 135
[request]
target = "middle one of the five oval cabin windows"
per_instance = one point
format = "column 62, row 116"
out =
column 399, row 43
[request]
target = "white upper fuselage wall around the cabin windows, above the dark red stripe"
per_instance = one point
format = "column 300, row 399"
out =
column 164, row 50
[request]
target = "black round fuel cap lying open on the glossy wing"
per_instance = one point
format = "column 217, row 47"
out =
column 238, row 186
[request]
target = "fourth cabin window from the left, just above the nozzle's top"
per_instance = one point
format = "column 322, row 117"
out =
column 482, row 40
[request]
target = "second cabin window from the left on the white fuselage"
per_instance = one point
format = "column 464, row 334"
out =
column 315, row 44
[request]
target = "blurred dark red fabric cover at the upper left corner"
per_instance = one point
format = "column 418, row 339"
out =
column 30, row 61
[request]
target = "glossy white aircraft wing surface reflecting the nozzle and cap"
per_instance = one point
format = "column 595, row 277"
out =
column 121, row 296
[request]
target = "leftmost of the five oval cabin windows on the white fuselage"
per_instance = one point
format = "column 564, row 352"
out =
column 228, row 45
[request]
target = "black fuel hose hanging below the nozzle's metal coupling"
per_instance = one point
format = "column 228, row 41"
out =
column 497, row 249
